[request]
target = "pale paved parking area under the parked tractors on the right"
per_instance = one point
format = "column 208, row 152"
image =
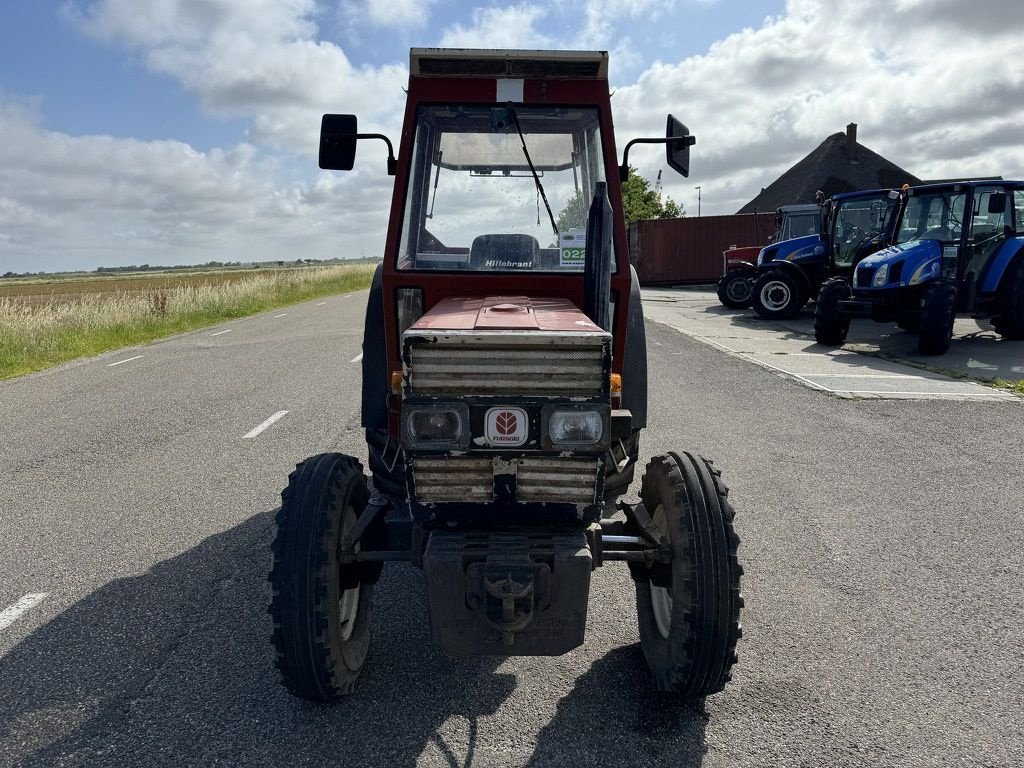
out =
column 879, row 361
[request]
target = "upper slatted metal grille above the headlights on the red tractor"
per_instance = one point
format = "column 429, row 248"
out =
column 453, row 368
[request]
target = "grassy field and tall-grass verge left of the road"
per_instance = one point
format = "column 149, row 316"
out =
column 47, row 323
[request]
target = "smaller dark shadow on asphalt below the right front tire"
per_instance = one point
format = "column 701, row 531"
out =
column 615, row 717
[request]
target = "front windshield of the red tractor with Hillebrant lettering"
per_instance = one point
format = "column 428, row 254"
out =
column 483, row 181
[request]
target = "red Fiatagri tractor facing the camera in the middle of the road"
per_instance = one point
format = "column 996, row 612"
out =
column 504, row 393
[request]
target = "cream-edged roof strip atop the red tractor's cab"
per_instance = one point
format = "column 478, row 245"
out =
column 474, row 63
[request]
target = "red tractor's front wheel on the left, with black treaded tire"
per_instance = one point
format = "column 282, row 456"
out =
column 322, row 611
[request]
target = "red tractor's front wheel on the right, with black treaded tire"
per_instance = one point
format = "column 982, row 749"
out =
column 689, row 612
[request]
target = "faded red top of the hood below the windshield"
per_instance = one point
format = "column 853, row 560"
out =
column 505, row 314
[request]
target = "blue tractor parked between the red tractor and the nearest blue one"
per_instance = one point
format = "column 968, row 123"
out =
column 854, row 226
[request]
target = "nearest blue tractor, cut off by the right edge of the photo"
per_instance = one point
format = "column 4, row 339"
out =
column 959, row 248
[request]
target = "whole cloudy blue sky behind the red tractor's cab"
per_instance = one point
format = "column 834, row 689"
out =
column 177, row 132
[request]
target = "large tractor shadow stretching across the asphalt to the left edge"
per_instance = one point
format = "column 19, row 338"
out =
column 175, row 667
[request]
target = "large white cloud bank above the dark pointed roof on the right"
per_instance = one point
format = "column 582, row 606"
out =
column 930, row 86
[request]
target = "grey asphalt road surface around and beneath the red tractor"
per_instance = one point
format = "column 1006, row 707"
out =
column 881, row 540
